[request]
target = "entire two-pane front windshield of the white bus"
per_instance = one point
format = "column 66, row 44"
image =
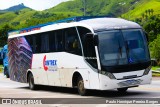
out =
column 121, row 47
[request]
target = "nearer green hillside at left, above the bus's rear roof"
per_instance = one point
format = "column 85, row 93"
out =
column 28, row 17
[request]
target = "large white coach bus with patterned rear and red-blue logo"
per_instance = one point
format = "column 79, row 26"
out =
column 87, row 53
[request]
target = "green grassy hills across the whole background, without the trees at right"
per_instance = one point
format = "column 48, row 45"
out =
column 130, row 9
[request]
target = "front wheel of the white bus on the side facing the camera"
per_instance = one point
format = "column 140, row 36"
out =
column 81, row 90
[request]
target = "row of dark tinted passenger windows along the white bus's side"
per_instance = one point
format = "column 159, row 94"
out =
column 64, row 40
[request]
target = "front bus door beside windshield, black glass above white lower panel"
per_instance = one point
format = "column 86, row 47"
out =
column 91, row 59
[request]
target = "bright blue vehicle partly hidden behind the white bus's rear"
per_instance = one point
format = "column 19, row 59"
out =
column 4, row 55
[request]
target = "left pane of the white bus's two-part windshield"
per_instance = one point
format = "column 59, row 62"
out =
column 112, row 48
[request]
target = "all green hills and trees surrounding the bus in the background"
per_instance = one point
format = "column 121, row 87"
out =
column 144, row 12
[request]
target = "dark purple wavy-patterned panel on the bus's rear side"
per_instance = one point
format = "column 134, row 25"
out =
column 19, row 57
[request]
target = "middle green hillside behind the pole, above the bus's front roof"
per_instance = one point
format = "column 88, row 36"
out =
column 95, row 7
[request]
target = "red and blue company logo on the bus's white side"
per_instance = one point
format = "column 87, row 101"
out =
column 49, row 65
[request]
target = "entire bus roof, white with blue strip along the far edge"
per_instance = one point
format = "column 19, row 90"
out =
column 95, row 24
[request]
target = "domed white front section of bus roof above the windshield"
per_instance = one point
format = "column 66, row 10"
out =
column 99, row 24
